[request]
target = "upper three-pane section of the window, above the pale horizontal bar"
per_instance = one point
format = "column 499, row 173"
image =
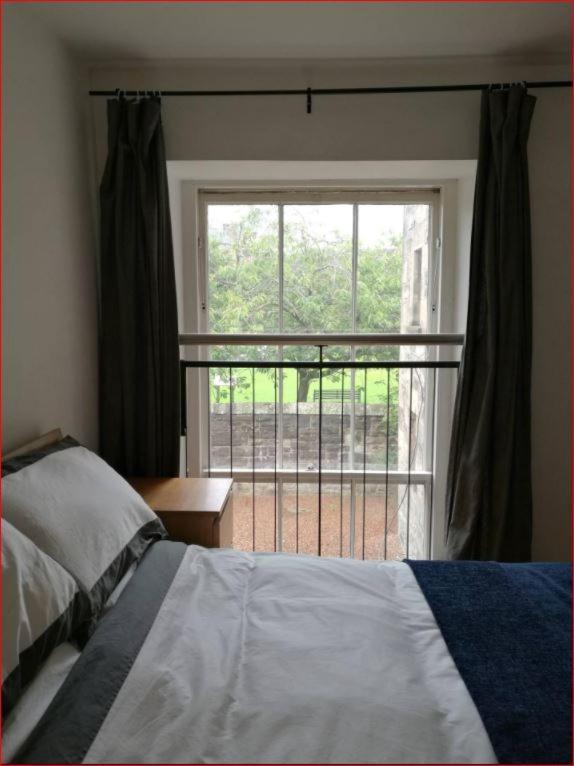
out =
column 308, row 262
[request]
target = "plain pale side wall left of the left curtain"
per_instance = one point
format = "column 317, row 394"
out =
column 49, row 296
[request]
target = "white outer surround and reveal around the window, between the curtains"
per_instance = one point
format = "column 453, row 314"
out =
column 455, row 179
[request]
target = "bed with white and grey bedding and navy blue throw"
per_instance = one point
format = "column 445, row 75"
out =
column 218, row 656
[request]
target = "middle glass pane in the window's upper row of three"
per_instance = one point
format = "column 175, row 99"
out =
column 318, row 247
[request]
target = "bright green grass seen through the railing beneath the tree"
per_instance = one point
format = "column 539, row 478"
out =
column 265, row 386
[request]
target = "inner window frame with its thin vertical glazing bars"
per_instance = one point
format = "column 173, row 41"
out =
column 300, row 195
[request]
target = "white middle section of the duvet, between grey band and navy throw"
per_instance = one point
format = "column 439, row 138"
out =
column 286, row 659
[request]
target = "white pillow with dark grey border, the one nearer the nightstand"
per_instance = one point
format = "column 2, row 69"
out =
column 82, row 513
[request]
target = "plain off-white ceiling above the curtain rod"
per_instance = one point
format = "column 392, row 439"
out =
column 310, row 30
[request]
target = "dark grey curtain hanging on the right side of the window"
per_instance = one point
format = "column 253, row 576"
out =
column 489, row 497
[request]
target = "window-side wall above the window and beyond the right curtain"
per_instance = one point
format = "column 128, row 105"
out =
column 402, row 127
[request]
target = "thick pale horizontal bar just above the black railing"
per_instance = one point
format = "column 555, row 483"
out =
column 322, row 339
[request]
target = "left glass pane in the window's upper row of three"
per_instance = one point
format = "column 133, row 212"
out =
column 243, row 256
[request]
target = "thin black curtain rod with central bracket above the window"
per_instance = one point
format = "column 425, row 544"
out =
column 310, row 92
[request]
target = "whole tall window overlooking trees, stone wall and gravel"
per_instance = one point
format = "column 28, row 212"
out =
column 317, row 262
